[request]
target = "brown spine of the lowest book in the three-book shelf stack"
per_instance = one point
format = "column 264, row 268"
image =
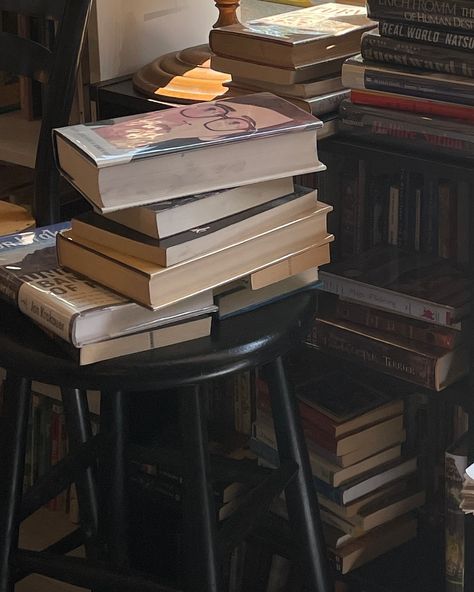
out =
column 377, row 355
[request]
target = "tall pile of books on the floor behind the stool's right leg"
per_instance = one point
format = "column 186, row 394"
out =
column 366, row 484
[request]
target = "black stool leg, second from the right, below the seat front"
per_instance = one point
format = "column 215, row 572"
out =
column 202, row 567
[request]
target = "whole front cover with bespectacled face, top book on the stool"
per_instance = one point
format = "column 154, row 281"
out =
column 118, row 141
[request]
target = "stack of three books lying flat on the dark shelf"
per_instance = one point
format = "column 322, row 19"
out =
column 398, row 312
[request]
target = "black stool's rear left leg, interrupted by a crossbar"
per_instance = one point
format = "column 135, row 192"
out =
column 78, row 426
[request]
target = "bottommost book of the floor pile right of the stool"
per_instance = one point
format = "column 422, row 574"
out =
column 373, row 544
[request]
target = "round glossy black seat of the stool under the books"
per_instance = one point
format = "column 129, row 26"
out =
column 243, row 341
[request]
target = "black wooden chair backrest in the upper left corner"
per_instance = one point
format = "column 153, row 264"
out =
column 57, row 69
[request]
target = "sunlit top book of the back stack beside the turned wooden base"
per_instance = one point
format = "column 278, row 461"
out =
column 295, row 38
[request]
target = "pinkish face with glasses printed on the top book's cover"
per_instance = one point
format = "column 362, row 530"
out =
column 202, row 121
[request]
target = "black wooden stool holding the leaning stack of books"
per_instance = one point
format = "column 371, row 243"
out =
column 258, row 338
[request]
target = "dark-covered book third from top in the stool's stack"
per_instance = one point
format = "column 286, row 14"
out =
column 197, row 241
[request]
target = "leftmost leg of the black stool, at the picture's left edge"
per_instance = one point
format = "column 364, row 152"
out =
column 17, row 397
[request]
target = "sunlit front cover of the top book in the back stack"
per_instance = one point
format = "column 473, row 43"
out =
column 300, row 26
